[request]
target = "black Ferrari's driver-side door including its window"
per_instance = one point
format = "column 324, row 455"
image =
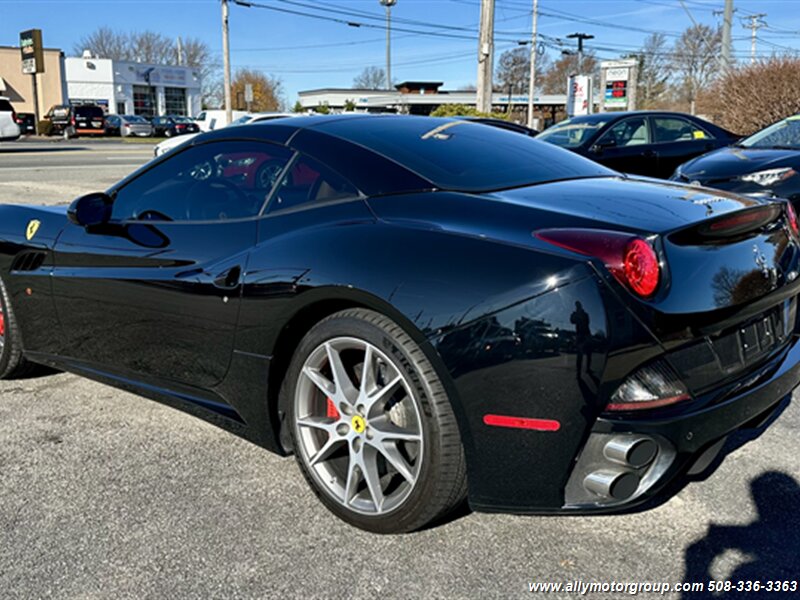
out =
column 155, row 292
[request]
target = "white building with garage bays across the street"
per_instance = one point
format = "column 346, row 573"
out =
column 123, row 87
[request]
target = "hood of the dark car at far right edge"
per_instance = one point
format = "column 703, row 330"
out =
column 730, row 162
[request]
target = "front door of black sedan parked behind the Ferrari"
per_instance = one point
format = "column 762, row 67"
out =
column 626, row 146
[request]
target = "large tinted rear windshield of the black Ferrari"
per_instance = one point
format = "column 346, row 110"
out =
column 462, row 155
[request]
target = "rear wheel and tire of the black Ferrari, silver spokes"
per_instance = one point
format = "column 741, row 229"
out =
column 385, row 456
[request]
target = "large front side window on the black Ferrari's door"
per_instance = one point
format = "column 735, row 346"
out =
column 212, row 182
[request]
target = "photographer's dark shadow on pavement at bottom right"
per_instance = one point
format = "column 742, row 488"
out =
column 769, row 545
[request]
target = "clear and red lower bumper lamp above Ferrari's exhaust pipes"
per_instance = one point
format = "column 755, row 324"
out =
column 653, row 386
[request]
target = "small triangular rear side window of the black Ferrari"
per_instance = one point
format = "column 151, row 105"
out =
column 310, row 182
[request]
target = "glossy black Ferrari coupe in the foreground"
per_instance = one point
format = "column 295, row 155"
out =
column 420, row 309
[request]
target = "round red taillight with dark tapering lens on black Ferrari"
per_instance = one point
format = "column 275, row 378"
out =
column 629, row 258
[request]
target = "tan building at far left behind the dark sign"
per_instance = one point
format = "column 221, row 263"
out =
column 18, row 87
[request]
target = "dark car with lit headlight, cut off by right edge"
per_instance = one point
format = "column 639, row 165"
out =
column 765, row 164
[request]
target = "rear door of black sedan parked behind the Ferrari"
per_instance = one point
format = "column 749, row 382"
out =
column 677, row 140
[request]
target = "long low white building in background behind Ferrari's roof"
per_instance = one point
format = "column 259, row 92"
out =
column 423, row 97
